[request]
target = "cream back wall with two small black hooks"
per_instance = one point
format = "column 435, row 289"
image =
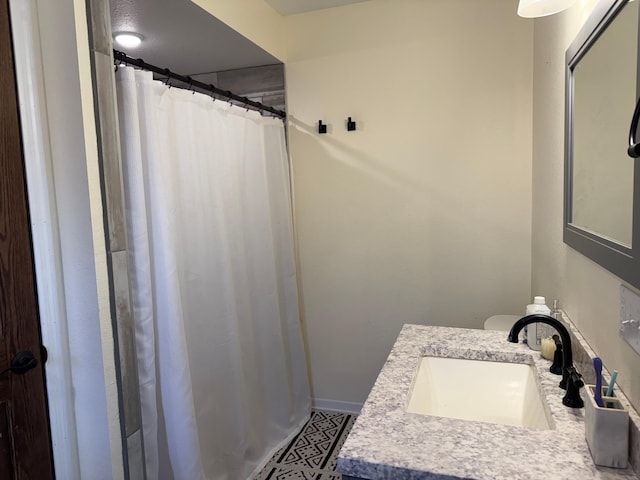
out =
column 423, row 215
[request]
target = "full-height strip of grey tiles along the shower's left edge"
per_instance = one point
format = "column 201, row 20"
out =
column 99, row 22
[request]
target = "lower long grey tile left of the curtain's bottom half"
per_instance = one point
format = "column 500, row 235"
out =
column 126, row 342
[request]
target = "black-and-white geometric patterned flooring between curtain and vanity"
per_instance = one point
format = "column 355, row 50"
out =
column 313, row 453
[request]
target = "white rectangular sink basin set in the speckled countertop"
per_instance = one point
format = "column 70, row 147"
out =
column 482, row 391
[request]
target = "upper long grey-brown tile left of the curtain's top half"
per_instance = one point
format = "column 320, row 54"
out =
column 110, row 146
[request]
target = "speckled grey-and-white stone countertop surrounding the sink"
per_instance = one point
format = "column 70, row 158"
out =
column 386, row 442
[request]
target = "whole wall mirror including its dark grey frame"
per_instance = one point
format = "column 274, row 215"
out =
column 600, row 177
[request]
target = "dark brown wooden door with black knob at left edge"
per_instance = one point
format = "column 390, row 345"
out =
column 25, row 445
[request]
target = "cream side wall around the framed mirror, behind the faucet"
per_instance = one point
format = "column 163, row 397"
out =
column 588, row 293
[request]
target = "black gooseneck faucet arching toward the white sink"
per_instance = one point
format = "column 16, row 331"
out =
column 571, row 381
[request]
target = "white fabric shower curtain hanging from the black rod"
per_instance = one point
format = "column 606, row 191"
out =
column 222, row 370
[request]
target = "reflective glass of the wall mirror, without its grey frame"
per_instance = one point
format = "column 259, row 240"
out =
column 603, row 104
